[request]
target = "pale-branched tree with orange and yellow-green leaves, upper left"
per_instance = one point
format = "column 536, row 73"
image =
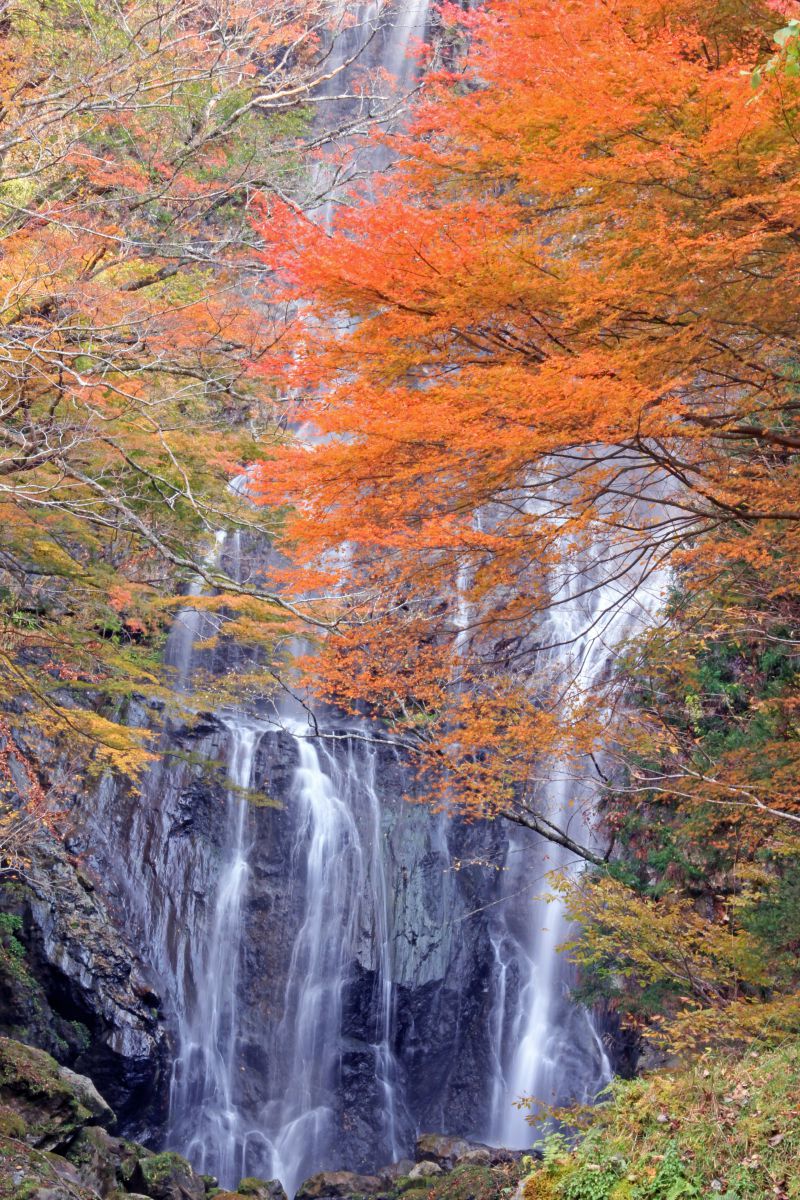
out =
column 133, row 141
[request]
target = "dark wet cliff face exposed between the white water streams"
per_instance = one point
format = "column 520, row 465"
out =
column 158, row 860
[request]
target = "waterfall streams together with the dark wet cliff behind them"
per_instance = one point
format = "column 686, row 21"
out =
column 334, row 983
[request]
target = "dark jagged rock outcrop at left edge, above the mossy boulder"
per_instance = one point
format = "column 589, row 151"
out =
column 73, row 986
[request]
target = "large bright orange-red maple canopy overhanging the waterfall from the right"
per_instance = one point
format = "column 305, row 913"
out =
column 555, row 356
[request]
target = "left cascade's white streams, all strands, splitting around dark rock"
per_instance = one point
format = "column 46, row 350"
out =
column 338, row 869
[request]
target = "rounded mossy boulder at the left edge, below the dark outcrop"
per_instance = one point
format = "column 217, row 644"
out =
column 32, row 1088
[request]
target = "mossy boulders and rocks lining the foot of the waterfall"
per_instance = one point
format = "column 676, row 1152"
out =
column 58, row 1143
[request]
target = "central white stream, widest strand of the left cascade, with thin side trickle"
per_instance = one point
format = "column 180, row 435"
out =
column 338, row 856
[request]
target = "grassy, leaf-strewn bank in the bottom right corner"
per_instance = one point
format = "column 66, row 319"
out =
column 725, row 1130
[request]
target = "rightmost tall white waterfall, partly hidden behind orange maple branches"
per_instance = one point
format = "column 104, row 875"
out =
column 545, row 1048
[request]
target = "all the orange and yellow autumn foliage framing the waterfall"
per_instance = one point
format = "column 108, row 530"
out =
column 525, row 418
